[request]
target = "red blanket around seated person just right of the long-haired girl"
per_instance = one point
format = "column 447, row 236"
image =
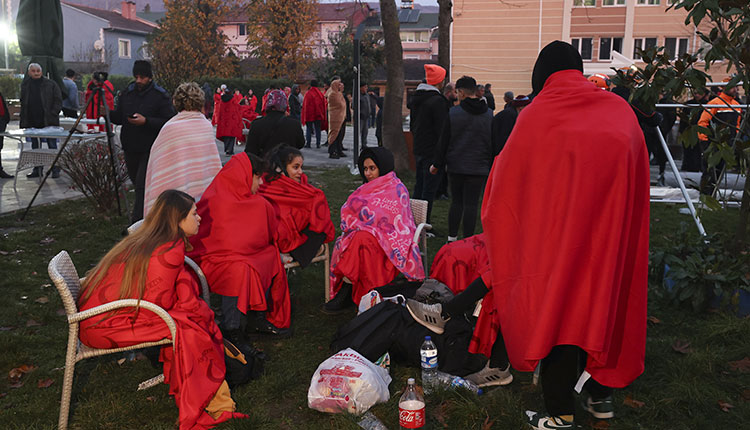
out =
column 235, row 243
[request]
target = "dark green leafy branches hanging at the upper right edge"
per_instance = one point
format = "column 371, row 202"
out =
column 727, row 36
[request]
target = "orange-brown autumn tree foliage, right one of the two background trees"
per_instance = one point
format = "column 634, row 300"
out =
column 279, row 34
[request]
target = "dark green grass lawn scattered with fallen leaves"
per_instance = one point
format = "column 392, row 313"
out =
column 677, row 391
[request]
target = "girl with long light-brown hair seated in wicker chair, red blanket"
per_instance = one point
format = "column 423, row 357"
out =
column 149, row 265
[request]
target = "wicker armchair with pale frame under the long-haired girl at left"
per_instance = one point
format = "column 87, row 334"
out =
column 65, row 277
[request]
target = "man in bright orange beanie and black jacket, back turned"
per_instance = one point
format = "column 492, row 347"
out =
column 428, row 111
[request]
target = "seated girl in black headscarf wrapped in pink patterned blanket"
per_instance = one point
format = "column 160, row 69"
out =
column 377, row 231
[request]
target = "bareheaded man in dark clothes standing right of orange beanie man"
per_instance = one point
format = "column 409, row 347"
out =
column 465, row 146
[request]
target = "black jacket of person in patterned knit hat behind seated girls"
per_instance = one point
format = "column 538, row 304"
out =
column 272, row 130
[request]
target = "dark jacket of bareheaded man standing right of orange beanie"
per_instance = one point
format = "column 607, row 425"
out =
column 466, row 142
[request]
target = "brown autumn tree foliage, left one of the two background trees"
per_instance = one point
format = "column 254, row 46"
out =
column 188, row 43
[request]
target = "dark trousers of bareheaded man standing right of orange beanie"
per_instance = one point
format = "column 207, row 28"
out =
column 465, row 190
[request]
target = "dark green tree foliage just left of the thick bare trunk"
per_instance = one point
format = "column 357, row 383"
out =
column 341, row 61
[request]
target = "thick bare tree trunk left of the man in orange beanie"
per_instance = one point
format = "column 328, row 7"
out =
column 393, row 133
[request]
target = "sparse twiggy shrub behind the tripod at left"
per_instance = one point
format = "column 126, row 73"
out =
column 89, row 167
